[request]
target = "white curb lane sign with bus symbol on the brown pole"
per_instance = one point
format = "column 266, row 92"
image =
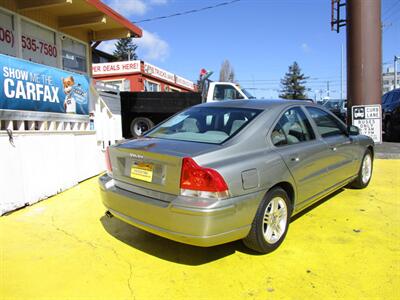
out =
column 369, row 119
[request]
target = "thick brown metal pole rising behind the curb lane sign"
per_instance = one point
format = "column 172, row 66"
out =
column 364, row 52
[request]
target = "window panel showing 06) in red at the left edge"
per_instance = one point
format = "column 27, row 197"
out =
column 7, row 34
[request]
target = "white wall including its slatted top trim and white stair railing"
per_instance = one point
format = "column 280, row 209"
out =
column 55, row 153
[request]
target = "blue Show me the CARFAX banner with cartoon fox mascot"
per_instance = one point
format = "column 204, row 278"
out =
column 29, row 86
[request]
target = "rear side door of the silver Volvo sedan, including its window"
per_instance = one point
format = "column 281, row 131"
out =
column 293, row 138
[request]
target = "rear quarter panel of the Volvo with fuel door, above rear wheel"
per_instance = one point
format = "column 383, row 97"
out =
column 247, row 162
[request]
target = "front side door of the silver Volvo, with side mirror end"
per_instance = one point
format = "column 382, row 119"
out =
column 342, row 153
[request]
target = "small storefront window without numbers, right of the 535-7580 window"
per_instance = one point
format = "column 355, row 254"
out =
column 74, row 55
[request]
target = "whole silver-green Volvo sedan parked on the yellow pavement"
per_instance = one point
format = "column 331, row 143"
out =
column 230, row 170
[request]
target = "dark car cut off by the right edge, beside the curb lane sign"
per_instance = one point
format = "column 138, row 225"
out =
column 391, row 115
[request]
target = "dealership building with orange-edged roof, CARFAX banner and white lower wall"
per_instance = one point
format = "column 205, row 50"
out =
column 54, row 124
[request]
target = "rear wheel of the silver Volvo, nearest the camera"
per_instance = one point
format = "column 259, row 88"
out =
column 271, row 222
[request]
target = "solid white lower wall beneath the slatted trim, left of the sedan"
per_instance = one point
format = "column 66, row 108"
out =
column 42, row 164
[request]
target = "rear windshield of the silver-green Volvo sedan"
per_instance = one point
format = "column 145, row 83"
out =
column 204, row 124
